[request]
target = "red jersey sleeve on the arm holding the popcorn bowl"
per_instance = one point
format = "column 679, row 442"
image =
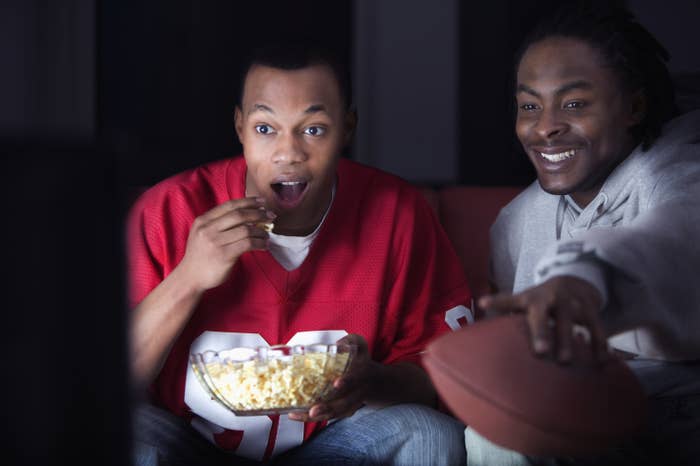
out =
column 429, row 281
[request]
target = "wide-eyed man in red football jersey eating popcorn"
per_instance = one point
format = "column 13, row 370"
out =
column 355, row 254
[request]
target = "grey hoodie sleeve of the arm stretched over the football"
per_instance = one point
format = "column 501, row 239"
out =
column 649, row 268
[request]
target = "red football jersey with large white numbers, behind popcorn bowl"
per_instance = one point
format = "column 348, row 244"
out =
column 381, row 267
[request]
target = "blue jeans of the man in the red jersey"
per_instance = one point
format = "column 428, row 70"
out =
column 396, row 435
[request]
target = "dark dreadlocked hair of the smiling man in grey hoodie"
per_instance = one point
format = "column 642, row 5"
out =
column 633, row 53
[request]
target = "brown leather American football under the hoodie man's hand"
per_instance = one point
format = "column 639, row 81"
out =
column 489, row 378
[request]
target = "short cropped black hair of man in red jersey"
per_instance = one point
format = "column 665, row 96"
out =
column 297, row 55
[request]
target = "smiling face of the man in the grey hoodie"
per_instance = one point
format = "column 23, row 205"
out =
column 573, row 116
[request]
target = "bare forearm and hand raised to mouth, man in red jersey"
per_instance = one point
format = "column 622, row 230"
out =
column 215, row 242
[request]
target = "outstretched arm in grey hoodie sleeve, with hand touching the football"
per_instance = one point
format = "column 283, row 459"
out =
column 638, row 277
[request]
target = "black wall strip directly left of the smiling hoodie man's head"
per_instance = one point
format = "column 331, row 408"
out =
column 490, row 35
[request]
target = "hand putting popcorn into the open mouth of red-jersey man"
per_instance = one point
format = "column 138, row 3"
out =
column 219, row 237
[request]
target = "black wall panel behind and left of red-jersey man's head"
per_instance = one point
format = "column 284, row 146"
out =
column 170, row 73
